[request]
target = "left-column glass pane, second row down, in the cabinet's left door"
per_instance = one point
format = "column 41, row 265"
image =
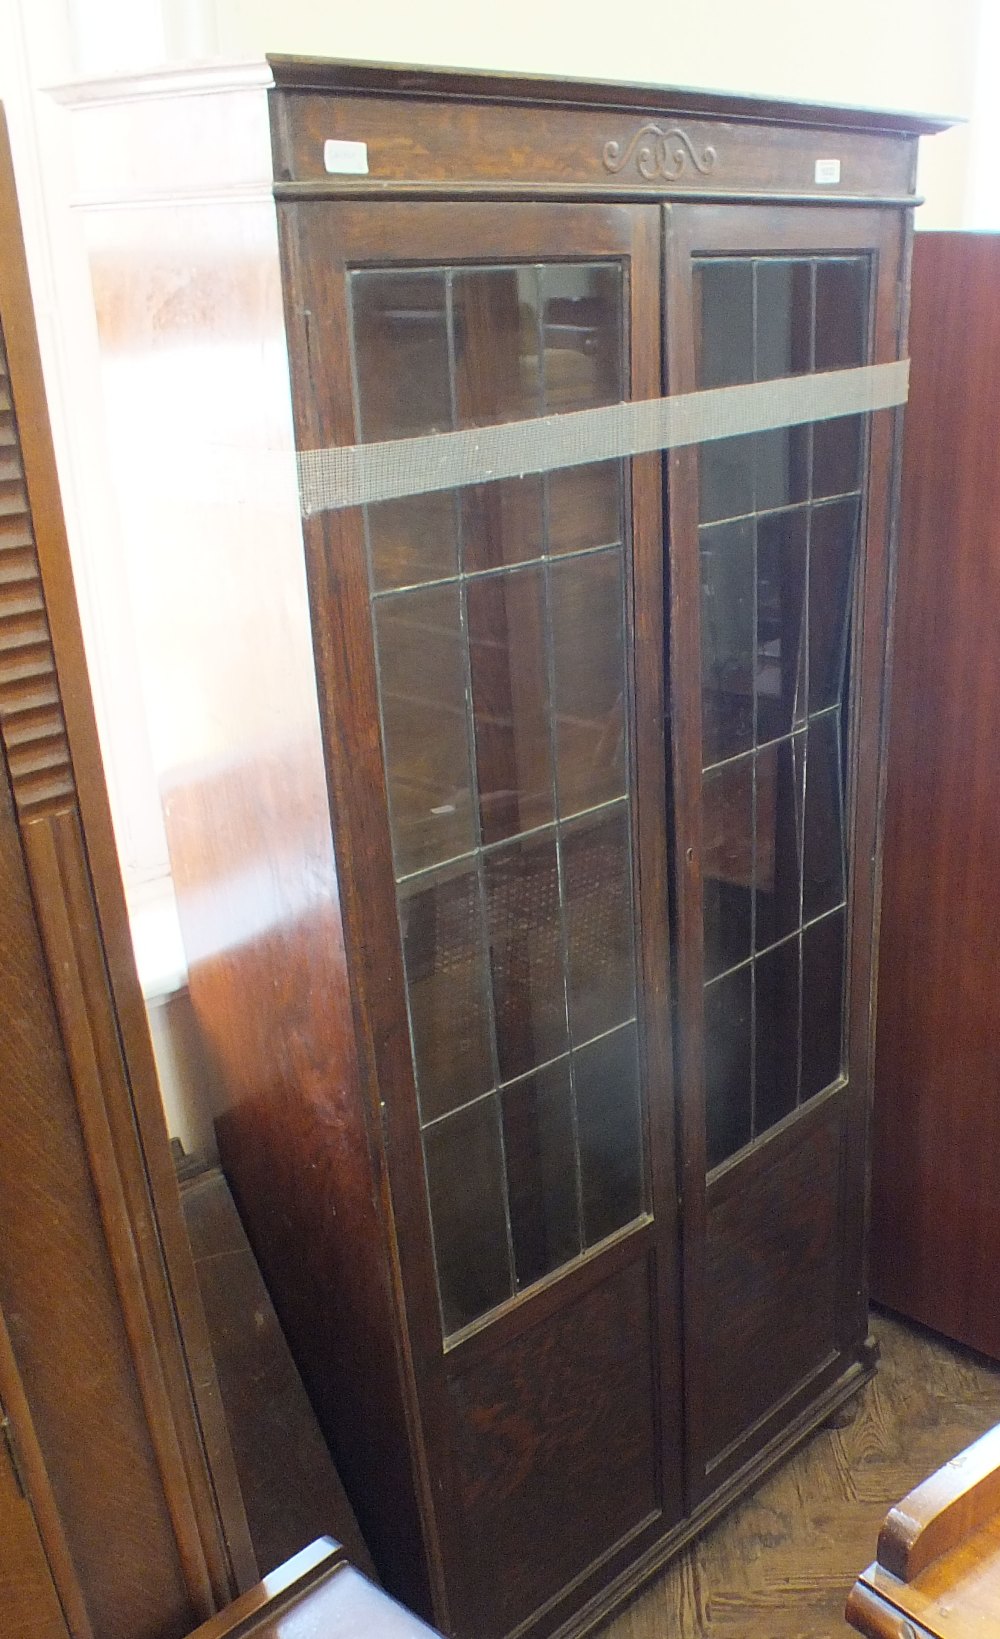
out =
column 422, row 674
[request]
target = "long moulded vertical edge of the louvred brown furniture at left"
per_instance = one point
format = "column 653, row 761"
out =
column 73, row 866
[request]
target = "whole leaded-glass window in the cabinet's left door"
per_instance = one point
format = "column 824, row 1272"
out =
column 504, row 720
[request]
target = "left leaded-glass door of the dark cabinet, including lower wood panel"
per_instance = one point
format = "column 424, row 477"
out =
column 493, row 688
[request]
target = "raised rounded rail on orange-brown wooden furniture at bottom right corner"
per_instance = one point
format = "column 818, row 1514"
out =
column 943, row 1510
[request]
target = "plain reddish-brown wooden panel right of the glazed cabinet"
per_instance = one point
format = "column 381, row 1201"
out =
column 935, row 1209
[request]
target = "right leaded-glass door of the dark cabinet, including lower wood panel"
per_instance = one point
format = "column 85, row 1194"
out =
column 778, row 647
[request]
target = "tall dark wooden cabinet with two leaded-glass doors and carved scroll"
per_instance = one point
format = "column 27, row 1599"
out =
column 525, row 835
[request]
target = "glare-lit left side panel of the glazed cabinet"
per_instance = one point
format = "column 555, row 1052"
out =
column 198, row 401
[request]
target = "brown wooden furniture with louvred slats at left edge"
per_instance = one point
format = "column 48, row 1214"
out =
column 122, row 1460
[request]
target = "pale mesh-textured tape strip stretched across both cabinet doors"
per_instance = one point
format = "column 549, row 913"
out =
column 361, row 474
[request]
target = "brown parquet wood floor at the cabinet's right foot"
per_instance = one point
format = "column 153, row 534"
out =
column 780, row 1564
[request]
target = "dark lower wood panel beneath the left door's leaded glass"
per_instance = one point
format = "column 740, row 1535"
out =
column 553, row 1438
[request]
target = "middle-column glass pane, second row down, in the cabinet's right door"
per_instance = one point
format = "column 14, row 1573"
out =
column 781, row 624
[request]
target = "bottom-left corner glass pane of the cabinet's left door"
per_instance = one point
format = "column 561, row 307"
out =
column 465, row 1168
